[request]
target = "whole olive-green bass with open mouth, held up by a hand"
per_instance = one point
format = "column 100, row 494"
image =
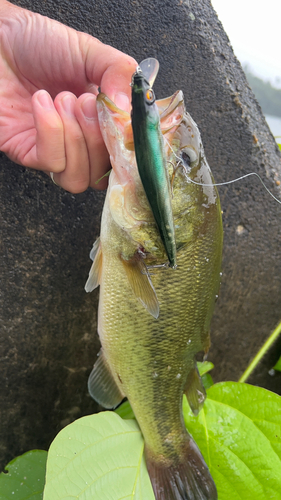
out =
column 153, row 319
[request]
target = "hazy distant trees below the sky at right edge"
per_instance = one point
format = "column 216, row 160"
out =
column 268, row 96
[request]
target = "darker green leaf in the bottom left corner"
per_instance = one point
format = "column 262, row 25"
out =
column 25, row 477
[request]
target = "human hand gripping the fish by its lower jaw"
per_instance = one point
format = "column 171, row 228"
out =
column 49, row 79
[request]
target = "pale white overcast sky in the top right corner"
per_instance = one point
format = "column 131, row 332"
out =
column 254, row 30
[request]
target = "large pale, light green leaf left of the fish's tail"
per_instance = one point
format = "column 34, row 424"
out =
column 98, row 457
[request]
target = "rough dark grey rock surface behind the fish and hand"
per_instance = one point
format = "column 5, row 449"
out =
column 48, row 324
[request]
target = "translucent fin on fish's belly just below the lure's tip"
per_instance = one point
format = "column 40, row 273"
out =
column 141, row 283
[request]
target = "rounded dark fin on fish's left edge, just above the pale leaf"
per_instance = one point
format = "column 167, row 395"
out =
column 102, row 385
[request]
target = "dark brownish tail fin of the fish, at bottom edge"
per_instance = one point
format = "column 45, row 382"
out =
column 188, row 479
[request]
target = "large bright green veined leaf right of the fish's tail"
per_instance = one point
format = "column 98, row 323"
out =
column 239, row 434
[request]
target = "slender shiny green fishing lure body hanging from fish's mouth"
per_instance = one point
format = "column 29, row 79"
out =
column 151, row 160
